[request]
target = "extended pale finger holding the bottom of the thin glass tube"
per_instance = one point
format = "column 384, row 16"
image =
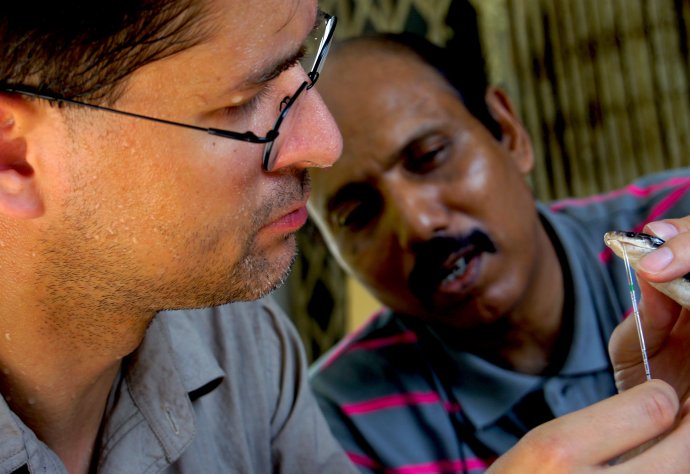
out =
column 603, row 431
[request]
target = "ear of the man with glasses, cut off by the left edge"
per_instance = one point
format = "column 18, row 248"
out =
column 19, row 194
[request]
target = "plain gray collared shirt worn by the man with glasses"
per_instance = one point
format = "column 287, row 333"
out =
column 220, row 390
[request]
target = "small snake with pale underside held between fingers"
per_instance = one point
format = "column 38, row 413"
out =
column 637, row 245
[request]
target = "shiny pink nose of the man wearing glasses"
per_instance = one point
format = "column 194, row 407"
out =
column 309, row 136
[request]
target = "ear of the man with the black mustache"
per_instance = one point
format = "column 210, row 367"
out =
column 514, row 137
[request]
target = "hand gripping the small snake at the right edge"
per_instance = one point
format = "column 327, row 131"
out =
column 666, row 325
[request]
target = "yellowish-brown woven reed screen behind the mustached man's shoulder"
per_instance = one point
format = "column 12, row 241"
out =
column 602, row 86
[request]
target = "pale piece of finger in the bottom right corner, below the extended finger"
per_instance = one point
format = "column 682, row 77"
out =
column 671, row 455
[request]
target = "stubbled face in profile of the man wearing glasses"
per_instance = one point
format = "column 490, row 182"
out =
column 172, row 217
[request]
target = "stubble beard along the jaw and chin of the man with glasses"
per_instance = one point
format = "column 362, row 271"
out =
column 95, row 281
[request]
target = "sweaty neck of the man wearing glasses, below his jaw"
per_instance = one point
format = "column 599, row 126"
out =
column 63, row 335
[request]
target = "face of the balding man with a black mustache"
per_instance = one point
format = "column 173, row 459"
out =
column 426, row 208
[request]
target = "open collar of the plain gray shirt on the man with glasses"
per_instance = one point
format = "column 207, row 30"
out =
column 161, row 382
